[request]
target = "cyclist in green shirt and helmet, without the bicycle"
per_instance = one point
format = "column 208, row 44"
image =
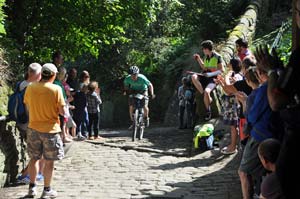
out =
column 137, row 83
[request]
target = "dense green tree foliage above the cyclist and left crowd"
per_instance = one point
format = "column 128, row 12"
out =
column 106, row 37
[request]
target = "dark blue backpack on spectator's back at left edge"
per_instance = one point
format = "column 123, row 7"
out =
column 16, row 107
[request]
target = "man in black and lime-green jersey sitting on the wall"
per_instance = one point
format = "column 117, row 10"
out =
column 211, row 65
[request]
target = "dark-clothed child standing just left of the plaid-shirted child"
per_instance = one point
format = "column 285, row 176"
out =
column 79, row 113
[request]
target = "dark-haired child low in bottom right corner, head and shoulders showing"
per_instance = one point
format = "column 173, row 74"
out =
column 268, row 152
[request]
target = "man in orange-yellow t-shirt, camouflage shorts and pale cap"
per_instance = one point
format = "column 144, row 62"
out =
column 45, row 102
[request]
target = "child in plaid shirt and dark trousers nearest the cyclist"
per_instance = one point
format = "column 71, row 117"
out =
column 93, row 107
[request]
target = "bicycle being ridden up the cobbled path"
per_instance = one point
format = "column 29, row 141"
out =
column 138, row 116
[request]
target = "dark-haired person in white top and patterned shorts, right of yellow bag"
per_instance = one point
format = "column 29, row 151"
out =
column 231, row 105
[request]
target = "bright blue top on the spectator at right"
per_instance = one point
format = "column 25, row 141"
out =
column 260, row 114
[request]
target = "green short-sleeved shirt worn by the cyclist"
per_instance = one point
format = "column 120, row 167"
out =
column 141, row 84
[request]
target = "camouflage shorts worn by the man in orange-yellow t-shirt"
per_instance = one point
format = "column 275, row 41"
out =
column 48, row 145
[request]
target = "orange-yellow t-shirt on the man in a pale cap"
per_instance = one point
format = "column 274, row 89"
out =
column 43, row 100
